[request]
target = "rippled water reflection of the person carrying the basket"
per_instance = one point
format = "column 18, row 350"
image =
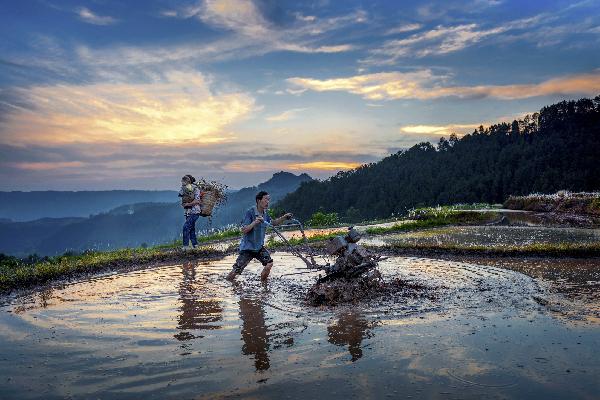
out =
column 197, row 312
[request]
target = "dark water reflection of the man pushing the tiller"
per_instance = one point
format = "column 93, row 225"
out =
column 254, row 332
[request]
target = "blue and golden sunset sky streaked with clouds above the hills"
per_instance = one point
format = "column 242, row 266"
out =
column 98, row 95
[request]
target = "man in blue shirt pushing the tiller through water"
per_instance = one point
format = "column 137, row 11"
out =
column 254, row 227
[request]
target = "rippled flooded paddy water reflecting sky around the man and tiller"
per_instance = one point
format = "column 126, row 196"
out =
column 184, row 332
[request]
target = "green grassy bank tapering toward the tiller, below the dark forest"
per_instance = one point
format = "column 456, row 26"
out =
column 429, row 217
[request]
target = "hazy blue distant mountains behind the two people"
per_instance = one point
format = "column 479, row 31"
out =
column 130, row 225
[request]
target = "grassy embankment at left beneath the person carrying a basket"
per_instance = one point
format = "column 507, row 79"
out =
column 17, row 273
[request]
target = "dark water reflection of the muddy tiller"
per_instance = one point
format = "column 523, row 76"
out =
column 350, row 329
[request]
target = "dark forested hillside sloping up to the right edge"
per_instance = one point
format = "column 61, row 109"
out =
column 557, row 148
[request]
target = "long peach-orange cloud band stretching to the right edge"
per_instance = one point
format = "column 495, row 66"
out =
column 424, row 85
